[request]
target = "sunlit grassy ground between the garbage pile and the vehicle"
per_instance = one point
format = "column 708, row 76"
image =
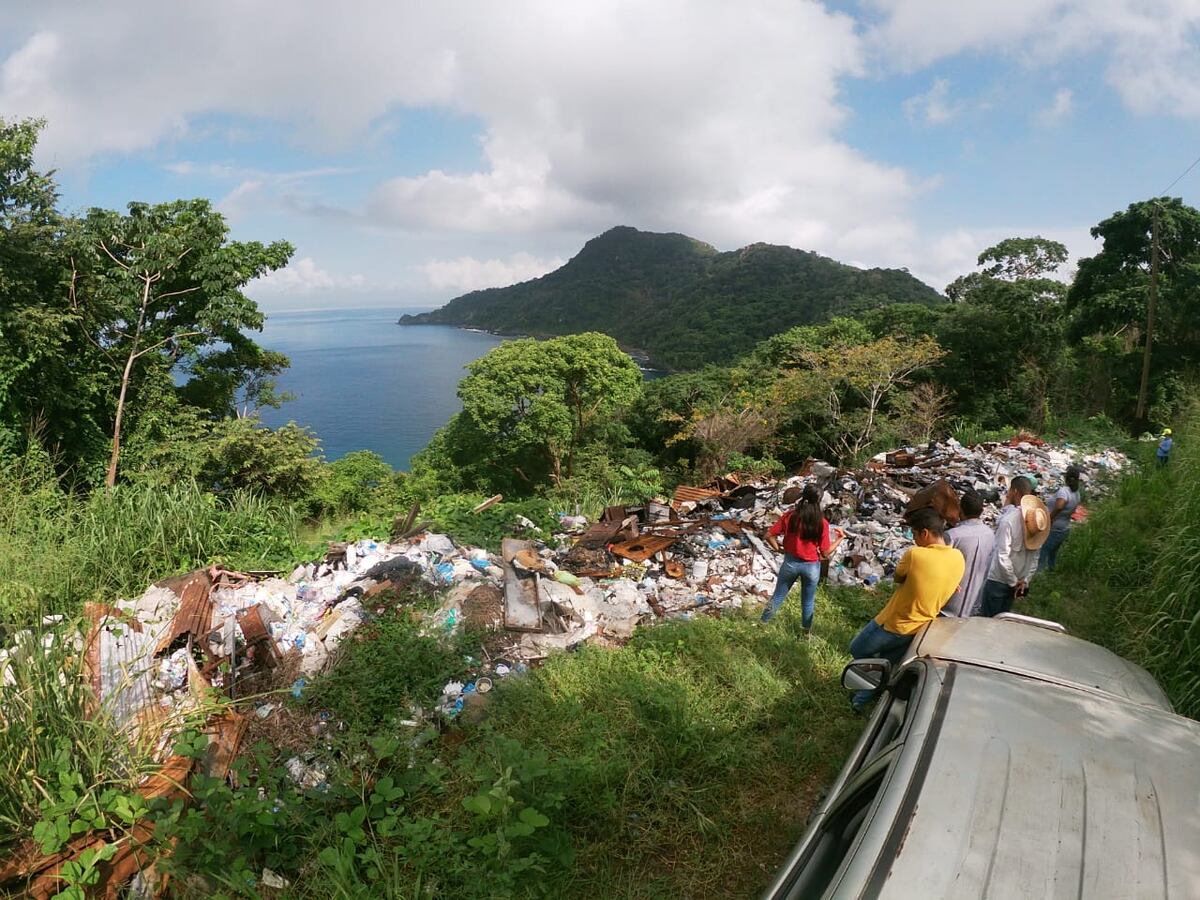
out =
column 697, row 752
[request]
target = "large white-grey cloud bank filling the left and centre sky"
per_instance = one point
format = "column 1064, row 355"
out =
column 698, row 116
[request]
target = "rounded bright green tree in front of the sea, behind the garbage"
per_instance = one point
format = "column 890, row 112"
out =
column 535, row 401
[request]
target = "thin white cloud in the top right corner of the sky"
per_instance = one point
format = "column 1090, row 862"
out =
column 1153, row 51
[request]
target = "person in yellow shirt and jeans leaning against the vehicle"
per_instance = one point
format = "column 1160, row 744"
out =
column 927, row 577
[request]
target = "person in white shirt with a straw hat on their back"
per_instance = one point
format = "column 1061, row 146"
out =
column 1023, row 529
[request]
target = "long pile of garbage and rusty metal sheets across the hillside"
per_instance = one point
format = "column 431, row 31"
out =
column 700, row 554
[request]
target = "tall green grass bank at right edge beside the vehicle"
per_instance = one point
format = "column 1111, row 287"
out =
column 1130, row 579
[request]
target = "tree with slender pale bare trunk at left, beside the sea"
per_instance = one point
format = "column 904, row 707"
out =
column 163, row 283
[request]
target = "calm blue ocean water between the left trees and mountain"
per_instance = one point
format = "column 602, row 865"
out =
column 363, row 382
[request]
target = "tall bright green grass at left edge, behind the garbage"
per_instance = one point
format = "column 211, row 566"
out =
column 59, row 550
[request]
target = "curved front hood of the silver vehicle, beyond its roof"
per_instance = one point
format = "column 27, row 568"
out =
column 1041, row 653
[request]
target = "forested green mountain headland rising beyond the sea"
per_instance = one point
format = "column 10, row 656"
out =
column 679, row 301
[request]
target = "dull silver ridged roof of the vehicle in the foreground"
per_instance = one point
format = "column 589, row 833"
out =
column 1041, row 790
